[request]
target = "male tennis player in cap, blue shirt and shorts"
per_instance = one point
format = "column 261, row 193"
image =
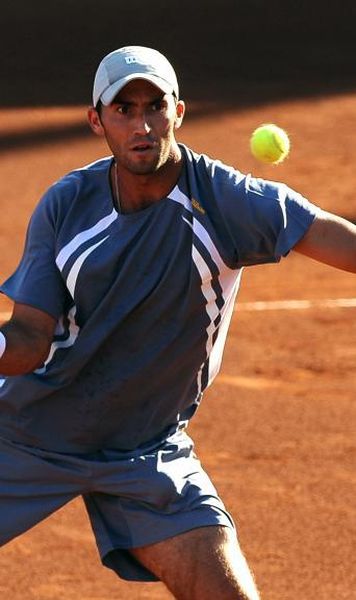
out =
column 122, row 302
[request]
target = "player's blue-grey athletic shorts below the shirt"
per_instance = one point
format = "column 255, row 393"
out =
column 132, row 499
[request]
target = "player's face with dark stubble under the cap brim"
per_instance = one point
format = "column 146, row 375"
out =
column 139, row 127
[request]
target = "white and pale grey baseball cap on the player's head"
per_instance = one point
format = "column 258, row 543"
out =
column 128, row 63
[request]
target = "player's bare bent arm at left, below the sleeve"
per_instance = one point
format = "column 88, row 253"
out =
column 28, row 334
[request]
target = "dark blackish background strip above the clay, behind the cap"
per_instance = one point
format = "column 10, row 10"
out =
column 225, row 51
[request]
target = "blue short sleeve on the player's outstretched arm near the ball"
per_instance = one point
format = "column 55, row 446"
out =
column 265, row 219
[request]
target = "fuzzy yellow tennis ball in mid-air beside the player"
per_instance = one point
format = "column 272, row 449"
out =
column 269, row 143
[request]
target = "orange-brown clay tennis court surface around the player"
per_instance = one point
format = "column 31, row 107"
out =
column 276, row 431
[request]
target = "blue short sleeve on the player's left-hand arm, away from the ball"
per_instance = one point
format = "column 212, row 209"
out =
column 37, row 280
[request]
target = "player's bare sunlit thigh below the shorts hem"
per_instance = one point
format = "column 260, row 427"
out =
column 201, row 564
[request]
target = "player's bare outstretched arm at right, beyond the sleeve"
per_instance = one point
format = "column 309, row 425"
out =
column 331, row 240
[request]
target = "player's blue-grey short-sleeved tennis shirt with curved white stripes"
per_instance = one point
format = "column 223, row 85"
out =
column 143, row 300
